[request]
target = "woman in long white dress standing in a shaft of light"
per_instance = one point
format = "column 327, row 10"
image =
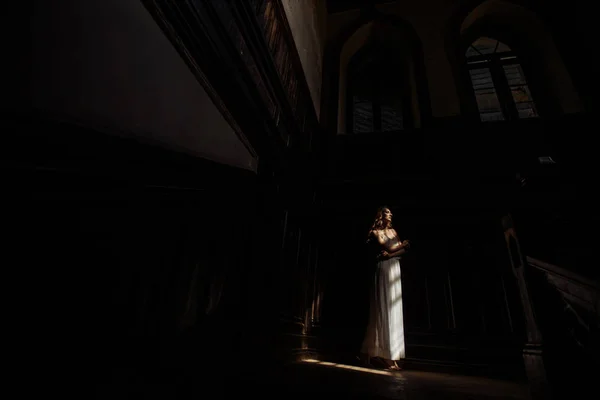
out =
column 384, row 337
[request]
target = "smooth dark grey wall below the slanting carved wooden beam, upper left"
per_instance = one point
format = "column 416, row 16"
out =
column 107, row 64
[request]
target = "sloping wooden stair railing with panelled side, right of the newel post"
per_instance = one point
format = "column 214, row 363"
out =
column 566, row 309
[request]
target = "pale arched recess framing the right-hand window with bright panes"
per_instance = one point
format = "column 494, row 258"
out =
column 521, row 29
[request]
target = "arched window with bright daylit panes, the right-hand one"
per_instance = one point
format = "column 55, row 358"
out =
column 499, row 84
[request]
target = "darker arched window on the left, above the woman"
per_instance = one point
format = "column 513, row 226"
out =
column 378, row 99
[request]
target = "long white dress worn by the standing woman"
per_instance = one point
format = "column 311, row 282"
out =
column 385, row 331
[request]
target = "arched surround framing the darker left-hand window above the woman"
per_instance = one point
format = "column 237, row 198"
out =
column 350, row 40
